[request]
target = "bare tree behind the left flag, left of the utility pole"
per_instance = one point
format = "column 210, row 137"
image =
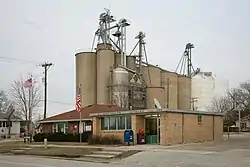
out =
column 26, row 96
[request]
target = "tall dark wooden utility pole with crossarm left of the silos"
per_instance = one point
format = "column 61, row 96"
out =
column 46, row 66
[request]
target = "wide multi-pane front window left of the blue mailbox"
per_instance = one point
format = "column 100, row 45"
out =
column 116, row 123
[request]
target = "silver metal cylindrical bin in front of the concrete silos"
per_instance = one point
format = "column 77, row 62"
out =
column 120, row 83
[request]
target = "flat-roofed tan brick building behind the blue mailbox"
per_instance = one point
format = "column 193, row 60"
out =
column 164, row 127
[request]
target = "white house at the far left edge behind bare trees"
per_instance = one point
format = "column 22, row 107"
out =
column 14, row 126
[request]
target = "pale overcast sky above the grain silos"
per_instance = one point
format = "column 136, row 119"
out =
column 54, row 30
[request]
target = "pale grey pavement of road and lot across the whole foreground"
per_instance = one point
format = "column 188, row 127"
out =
column 232, row 153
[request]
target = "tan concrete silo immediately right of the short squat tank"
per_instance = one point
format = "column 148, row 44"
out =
column 170, row 83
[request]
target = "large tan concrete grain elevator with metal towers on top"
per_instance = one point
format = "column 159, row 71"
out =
column 109, row 75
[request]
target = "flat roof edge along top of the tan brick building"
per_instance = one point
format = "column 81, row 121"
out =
column 153, row 111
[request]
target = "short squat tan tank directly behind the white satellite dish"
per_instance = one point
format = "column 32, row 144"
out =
column 155, row 92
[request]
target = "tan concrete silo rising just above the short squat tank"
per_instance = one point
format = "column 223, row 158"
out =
column 155, row 75
